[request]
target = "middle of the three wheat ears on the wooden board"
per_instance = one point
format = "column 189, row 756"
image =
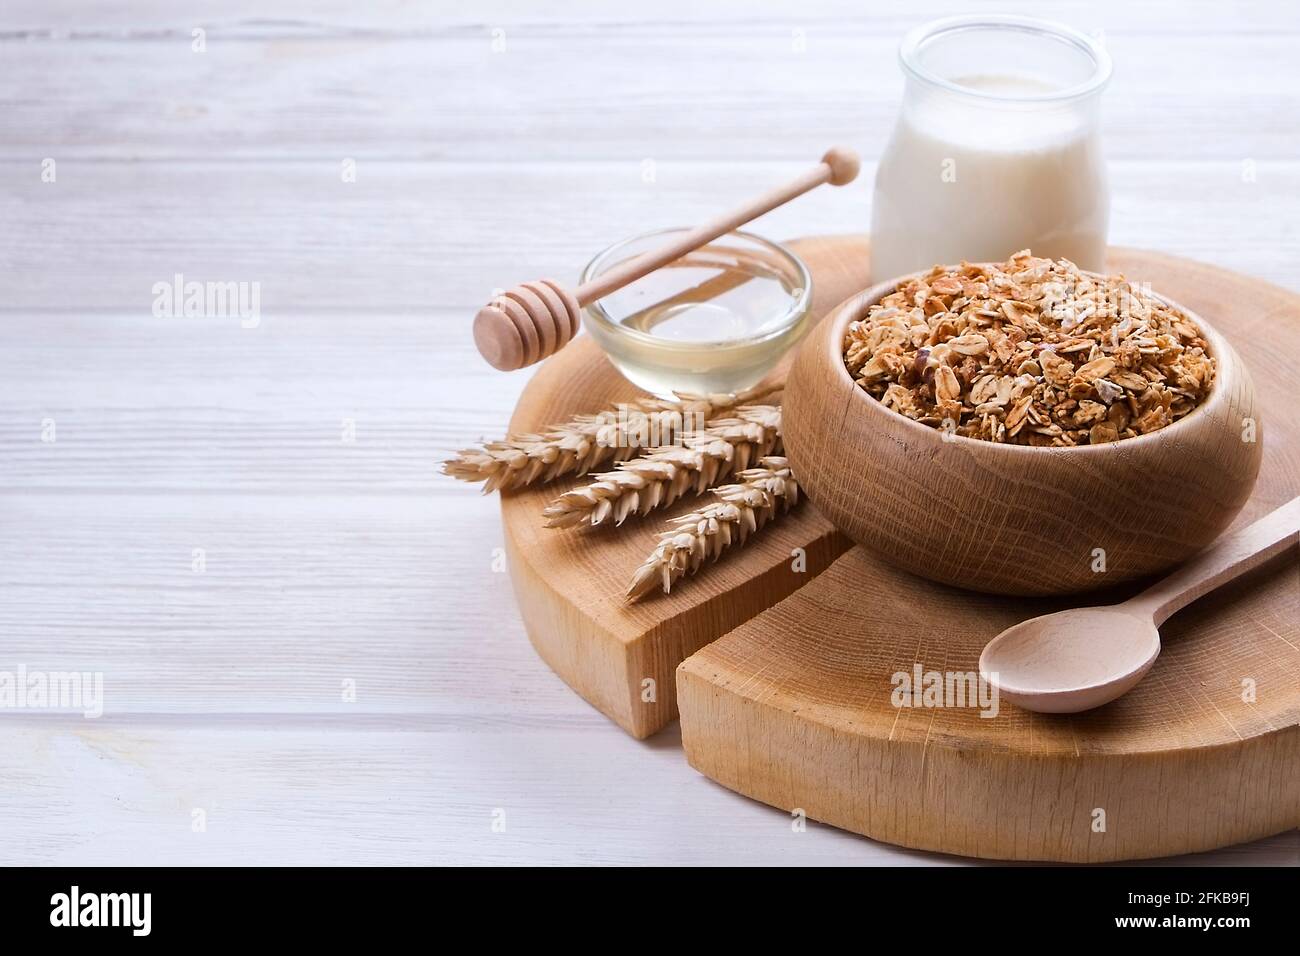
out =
column 664, row 475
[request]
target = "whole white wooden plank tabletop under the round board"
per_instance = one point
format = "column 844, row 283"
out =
column 345, row 677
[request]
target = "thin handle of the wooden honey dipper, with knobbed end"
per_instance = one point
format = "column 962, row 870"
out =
column 838, row 167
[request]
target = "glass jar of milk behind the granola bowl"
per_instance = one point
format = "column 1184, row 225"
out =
column 996, row 148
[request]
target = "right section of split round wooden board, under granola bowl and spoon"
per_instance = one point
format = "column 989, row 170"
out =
column 795, row 708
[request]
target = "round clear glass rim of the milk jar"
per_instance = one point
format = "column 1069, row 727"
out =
column 913, row 42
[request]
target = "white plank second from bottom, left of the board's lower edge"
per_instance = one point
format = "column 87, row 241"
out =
column 404, row 596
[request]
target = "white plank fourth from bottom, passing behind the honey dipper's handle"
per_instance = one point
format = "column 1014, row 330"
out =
column 414, row 237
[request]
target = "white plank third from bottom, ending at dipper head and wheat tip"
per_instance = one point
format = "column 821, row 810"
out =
column 367, row 404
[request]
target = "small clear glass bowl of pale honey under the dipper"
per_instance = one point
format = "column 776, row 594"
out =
column 718, row 319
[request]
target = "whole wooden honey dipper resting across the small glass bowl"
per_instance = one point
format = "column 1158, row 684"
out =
column 535, row 321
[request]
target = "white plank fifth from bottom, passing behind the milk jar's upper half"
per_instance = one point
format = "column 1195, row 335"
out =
column 670, row 93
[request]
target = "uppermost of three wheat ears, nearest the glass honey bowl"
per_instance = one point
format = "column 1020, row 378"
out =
column 588, row 442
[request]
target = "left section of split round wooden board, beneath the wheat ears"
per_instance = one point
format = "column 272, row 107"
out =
column 571, row 583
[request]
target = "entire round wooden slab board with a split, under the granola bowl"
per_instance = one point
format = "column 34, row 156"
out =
column 786, row 693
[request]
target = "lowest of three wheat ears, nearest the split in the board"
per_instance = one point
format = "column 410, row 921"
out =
column 740, row 511
